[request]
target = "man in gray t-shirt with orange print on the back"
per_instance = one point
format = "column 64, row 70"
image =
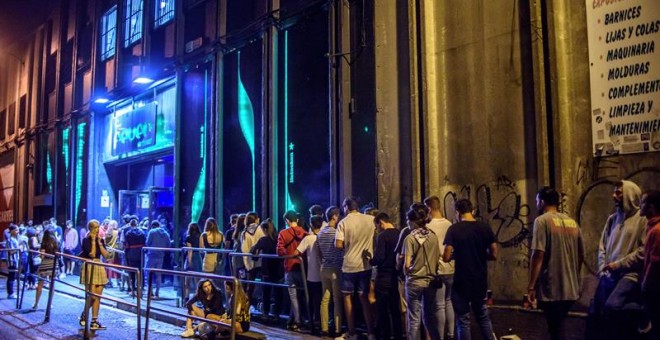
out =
column 557, row 255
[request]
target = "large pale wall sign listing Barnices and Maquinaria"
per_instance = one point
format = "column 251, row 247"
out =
column 624, row 39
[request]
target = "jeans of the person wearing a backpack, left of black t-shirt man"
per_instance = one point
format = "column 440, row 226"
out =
column 419, row 296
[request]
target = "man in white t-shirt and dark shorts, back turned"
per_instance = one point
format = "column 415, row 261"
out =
column 355, row 235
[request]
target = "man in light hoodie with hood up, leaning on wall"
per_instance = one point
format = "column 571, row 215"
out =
column 620, row 257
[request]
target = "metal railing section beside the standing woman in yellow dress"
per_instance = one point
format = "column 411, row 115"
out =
column 88, row 293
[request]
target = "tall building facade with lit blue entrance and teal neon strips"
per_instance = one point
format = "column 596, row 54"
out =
column 187, row 109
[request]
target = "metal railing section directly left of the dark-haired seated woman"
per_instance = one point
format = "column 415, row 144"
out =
column 189, row 274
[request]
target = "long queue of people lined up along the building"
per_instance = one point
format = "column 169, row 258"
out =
column 423, row 281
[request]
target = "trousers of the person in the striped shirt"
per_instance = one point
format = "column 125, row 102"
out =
column 330, row 280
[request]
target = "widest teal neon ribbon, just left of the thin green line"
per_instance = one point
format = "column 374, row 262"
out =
column 246, row 121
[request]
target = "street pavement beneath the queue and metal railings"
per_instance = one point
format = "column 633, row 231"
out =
column 121, row 320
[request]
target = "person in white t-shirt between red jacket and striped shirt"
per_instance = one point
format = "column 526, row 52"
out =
column 309, row 246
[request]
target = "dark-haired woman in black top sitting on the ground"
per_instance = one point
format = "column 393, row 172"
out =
column 212, row 305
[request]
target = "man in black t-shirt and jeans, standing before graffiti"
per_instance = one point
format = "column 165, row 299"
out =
column 470, row 243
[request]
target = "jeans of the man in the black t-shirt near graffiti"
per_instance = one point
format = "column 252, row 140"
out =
column 462, row 307
